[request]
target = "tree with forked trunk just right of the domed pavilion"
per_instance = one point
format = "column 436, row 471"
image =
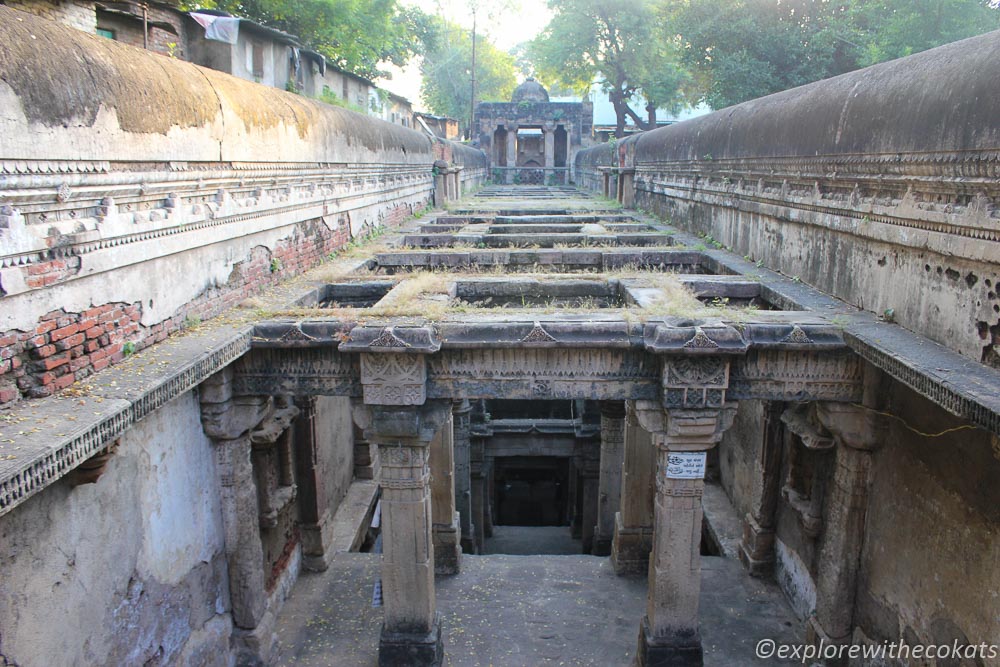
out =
column 615, row 41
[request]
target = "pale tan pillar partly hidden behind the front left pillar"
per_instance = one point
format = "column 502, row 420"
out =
column 446, row 527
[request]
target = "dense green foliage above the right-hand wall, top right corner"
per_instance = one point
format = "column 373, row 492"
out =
column 743, row 49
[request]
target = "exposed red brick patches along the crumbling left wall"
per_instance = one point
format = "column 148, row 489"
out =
column 65, row 347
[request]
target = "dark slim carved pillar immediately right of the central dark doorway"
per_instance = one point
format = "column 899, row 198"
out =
column 610, row 482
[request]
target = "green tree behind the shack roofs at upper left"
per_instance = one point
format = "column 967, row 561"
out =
column 355, row 35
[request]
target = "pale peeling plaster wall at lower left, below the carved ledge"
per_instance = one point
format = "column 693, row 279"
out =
column 129, row 570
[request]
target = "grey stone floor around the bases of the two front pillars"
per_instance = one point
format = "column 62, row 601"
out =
column 518, row 611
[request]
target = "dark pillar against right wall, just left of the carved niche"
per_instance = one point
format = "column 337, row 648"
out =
column 757, row 545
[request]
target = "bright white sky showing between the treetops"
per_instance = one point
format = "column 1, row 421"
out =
column 506, row 23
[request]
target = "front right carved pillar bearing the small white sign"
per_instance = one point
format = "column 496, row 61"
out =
column 669, row 634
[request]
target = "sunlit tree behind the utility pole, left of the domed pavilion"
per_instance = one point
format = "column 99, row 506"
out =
column 447, row 85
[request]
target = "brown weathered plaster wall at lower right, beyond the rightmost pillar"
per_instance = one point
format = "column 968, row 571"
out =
column 930, row 569
